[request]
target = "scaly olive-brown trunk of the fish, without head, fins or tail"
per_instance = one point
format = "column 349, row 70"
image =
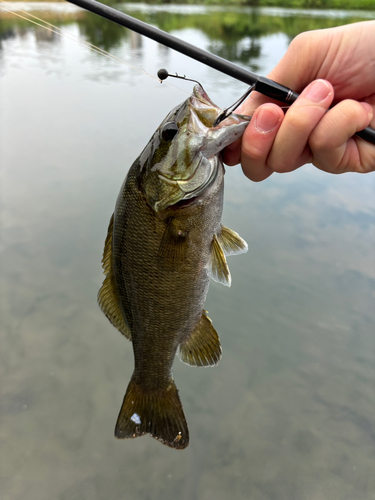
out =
column 167, row 297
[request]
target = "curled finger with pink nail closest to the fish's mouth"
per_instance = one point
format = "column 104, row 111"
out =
column 258, row 139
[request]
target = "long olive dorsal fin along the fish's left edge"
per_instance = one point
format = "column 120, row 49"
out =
column 107, row 297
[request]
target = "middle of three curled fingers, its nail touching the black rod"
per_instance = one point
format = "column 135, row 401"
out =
column 290, row 149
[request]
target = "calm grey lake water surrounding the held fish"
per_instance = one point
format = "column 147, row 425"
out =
column 289, row 412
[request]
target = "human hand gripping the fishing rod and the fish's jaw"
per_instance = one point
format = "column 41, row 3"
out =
column 336, row 66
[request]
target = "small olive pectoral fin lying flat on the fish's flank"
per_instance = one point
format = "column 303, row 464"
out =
column 173, row 246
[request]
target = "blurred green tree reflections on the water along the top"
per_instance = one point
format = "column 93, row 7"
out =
column 234, row 34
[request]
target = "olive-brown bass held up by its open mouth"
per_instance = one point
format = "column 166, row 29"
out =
column 165, row 241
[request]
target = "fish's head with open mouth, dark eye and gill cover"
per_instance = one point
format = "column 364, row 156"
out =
column 182, row 158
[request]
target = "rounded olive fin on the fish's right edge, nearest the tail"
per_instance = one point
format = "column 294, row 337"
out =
column 203, row 347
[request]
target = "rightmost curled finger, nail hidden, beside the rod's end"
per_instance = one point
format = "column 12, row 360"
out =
column 333, row 146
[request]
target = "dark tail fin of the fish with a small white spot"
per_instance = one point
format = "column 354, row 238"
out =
column 158, row 413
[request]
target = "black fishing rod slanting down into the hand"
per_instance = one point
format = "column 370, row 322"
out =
column 261, row 84
